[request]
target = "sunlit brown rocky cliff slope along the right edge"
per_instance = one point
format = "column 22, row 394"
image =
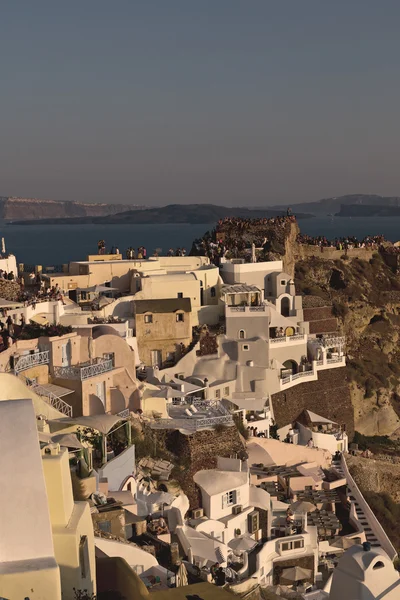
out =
column 365, row 297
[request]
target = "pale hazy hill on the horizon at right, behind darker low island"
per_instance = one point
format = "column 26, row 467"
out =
column 333, row 205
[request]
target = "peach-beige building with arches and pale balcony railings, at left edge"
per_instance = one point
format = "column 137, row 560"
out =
column 88, row 372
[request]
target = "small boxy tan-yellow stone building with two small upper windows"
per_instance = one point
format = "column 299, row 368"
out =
column 163, row 328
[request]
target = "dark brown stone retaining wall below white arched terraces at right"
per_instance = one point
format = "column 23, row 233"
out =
column 329, row 397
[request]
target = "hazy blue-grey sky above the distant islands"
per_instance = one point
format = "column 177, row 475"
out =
column 238, row 102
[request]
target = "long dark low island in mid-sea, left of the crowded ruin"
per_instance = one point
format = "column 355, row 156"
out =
column 173, row 213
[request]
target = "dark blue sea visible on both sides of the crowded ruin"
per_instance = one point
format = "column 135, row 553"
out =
column 58, row 244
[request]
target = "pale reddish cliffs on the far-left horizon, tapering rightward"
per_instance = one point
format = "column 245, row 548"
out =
column 22, row 209
